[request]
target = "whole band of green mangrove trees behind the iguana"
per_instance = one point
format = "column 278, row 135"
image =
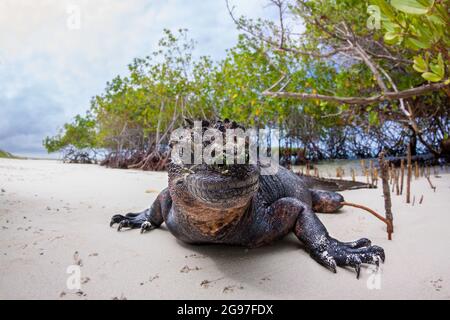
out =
column 335, row 56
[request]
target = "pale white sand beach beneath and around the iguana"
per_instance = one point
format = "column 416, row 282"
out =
column 49, row 210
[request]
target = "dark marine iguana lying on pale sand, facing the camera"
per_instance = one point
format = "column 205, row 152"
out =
column 205, row 204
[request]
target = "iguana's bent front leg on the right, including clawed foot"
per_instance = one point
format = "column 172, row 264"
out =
column 326, row 250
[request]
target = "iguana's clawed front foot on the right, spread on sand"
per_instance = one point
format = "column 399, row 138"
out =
column 332, row 253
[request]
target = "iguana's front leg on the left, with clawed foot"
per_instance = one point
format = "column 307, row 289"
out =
column 148, row 219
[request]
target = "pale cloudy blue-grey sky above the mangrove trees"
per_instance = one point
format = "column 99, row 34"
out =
column 56, row 54
